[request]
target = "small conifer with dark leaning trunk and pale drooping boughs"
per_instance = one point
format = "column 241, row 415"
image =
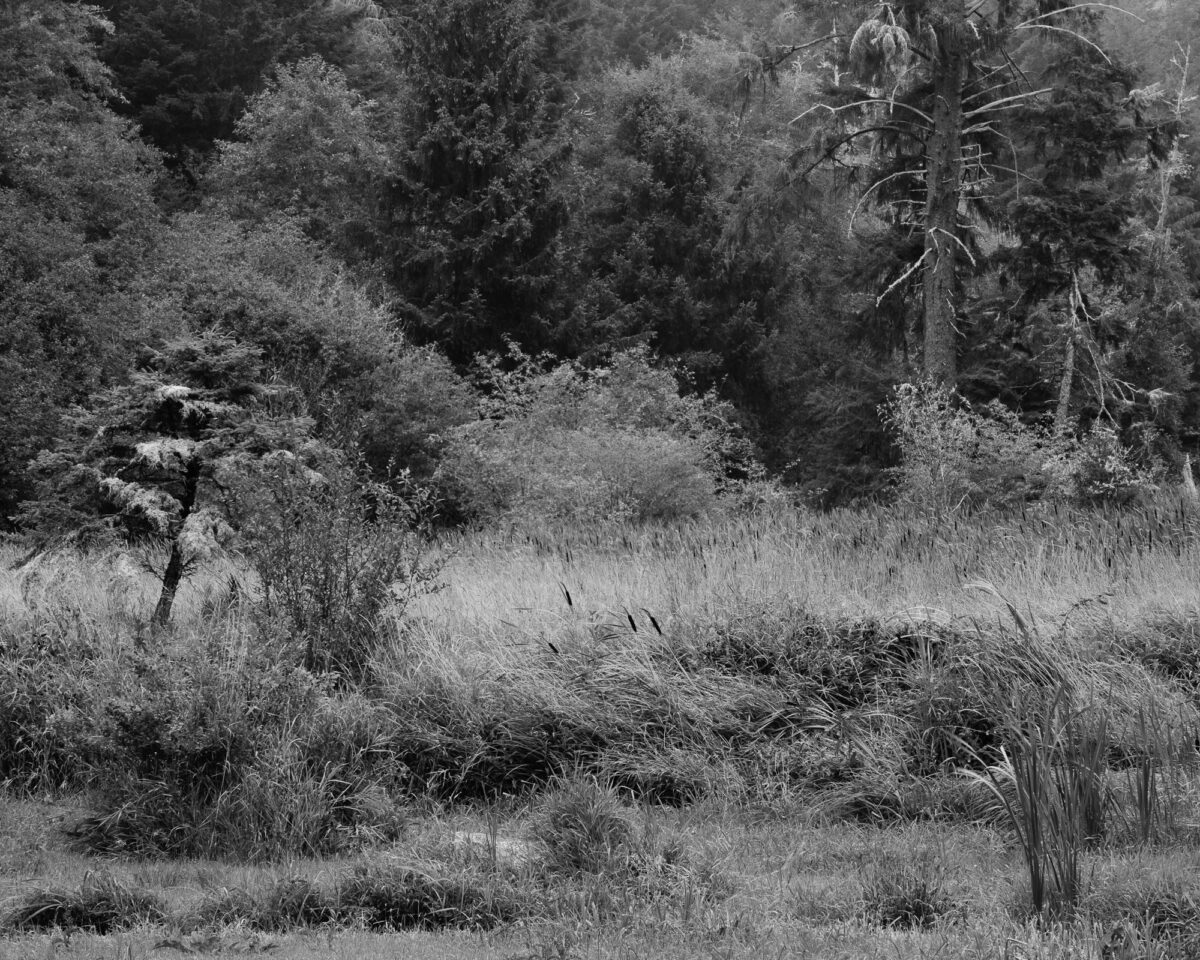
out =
column 148, row 454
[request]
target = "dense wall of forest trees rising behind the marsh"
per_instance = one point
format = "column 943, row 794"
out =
column 793, row 206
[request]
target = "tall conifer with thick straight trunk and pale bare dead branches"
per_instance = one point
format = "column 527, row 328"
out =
column 939, row 81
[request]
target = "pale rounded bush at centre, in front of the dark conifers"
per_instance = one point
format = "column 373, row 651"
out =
column 613, row 445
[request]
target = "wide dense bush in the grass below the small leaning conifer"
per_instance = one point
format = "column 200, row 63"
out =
column 188, row 757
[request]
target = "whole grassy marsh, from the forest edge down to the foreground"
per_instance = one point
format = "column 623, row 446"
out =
column 791, row 735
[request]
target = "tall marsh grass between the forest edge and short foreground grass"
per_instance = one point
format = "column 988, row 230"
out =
column 849, row 662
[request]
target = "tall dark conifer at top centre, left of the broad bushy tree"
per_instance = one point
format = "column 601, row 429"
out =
column 472, row 207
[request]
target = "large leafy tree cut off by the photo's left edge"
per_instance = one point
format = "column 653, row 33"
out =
column 76, row 217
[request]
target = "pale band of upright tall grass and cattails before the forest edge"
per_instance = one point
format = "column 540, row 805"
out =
column 880, row 562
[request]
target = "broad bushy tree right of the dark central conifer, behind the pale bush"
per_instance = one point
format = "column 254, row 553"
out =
column 649, row 255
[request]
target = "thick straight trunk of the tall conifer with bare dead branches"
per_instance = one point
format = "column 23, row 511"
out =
column 944, row 187
